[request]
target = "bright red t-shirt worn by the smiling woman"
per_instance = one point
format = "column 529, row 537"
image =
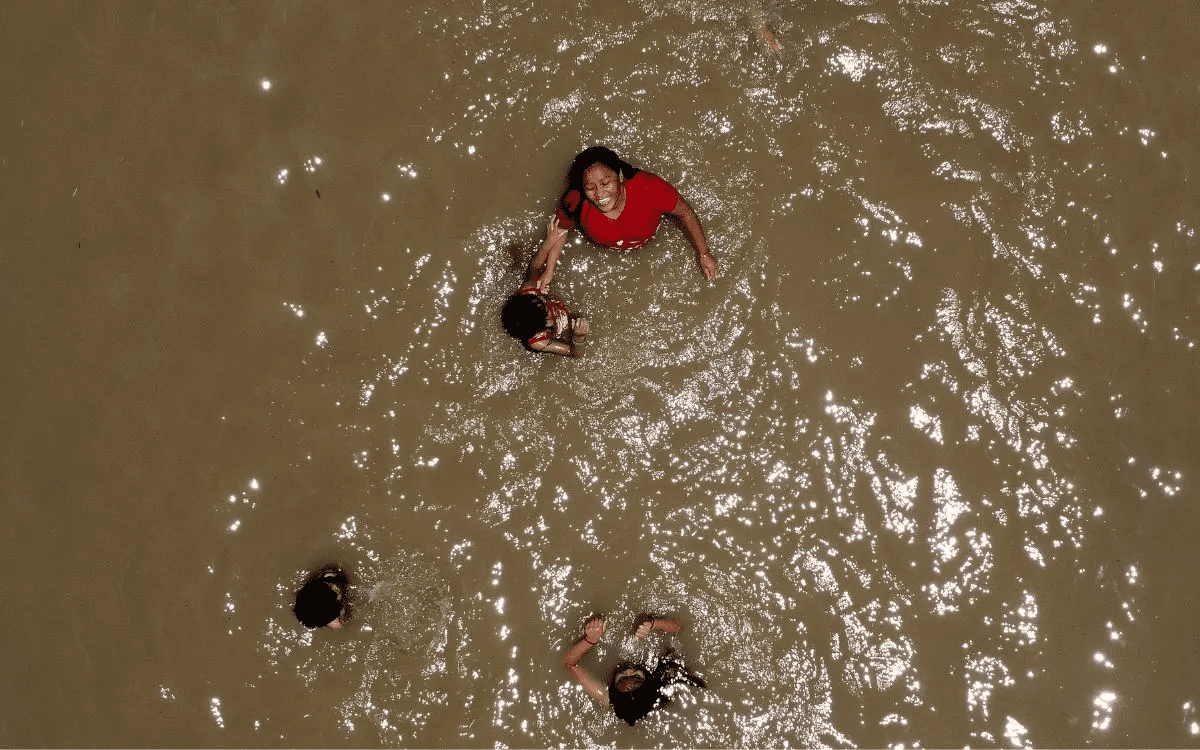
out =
column 647, row 199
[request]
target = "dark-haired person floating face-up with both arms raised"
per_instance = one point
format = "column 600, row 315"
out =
column 635, row 689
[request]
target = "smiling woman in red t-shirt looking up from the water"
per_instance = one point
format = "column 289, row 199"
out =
column 619, row 207
